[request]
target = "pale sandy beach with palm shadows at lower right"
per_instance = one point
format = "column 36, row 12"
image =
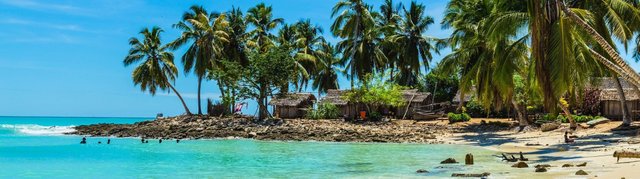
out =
column 595, row 146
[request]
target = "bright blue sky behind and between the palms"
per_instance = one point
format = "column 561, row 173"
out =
column 64, row 57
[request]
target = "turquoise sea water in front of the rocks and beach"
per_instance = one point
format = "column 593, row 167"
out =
column 31, row 147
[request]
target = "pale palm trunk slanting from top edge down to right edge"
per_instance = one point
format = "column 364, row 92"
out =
column 601, row 41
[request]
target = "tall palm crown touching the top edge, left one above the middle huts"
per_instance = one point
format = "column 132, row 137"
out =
column 361, row 51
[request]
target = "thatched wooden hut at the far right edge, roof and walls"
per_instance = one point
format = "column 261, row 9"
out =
column 610, row 106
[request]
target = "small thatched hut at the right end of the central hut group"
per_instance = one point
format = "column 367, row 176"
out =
column 416, row 101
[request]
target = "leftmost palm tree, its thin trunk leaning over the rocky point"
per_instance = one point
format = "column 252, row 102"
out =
column 156, row 70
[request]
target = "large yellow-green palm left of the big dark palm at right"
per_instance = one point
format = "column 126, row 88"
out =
column 488, row 64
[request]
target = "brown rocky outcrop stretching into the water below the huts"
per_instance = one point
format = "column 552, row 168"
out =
column 197, row 127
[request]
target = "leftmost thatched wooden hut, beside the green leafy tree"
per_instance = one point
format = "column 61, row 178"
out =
column 293, row 105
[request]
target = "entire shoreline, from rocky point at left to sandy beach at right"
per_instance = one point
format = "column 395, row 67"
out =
column 594, row 146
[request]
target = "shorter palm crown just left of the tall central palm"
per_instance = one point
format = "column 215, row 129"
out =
column 326, row 75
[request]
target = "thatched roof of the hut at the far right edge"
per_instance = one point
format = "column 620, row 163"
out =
column 609, row 91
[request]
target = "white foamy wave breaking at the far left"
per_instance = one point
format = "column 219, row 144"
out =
column 34, row 129
